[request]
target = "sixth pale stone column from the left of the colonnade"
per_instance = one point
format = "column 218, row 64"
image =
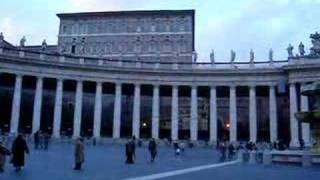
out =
column 117, row 112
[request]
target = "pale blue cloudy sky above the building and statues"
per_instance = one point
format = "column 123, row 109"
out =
column 221, row 25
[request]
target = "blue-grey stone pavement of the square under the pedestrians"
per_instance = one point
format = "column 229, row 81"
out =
column 107, row 162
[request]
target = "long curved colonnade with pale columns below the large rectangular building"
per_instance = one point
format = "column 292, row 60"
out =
column 83, row 95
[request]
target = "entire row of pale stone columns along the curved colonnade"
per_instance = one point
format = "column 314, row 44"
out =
column 156, row 108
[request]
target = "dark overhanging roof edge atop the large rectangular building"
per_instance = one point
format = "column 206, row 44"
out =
column 120, row 13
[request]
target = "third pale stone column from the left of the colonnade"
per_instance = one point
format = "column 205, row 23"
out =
column 58, row 109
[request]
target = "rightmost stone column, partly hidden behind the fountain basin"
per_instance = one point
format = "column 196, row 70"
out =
column 306, row 134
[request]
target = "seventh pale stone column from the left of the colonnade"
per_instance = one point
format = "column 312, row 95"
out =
column 136, row 111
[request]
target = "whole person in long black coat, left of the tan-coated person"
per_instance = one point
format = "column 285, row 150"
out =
column 19, row 148
